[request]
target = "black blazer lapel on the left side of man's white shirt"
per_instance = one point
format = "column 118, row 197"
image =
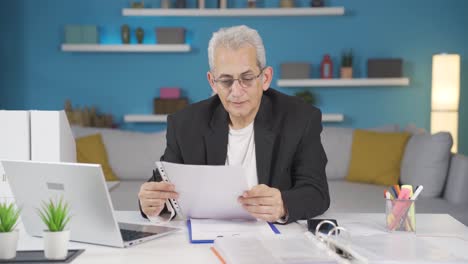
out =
column 216, row 138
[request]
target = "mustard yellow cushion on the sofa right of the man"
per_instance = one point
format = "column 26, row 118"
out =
column 376, row 157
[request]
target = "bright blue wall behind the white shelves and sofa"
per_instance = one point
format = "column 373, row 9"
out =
column 35, row 74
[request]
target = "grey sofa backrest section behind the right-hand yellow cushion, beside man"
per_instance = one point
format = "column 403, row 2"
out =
column 337, row 143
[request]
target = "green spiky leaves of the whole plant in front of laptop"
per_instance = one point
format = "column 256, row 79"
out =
column 55, row 215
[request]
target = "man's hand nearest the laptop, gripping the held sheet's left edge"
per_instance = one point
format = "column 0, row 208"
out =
column 153, row 196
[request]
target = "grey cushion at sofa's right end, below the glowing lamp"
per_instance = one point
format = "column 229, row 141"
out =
column 426, row 161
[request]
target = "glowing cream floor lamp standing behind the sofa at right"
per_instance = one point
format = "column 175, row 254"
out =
column 445, row 95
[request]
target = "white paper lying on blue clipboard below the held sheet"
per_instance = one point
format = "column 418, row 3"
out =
column 210, row 229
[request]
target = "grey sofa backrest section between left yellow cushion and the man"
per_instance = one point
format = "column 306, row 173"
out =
column 132, row 155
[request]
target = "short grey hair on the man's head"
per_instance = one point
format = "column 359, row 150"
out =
column 235, row 38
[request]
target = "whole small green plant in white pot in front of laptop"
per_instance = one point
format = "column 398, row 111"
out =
column 55, row 216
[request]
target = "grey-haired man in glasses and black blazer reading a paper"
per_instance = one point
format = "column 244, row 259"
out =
column 275, row 137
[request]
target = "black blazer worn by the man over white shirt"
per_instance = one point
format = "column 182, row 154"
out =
column 289, row 153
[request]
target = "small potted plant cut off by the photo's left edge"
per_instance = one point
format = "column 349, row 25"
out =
column 9, row 215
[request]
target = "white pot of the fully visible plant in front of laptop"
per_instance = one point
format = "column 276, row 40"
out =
column 56, row 244
